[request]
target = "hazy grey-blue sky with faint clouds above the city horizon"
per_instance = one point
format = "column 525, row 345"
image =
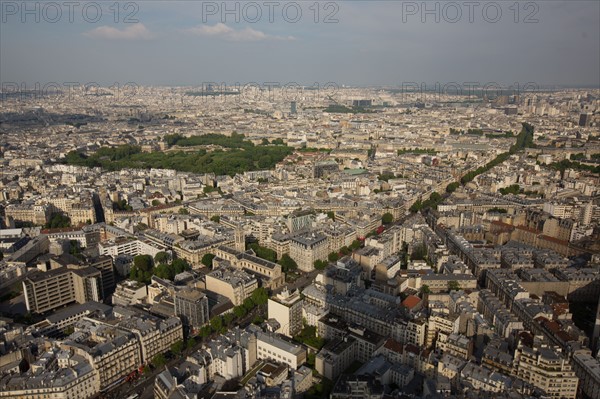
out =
column 354, row 43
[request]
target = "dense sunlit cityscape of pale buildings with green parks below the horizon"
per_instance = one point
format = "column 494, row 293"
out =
column 278, row 240
